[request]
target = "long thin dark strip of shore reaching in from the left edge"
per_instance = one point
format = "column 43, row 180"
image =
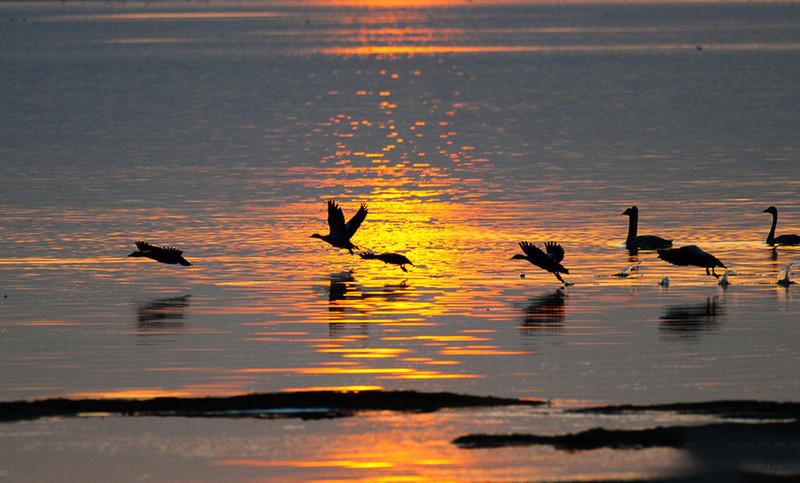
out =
column 306, row 405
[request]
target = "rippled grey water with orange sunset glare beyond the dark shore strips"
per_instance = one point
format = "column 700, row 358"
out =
column 221, row 128
